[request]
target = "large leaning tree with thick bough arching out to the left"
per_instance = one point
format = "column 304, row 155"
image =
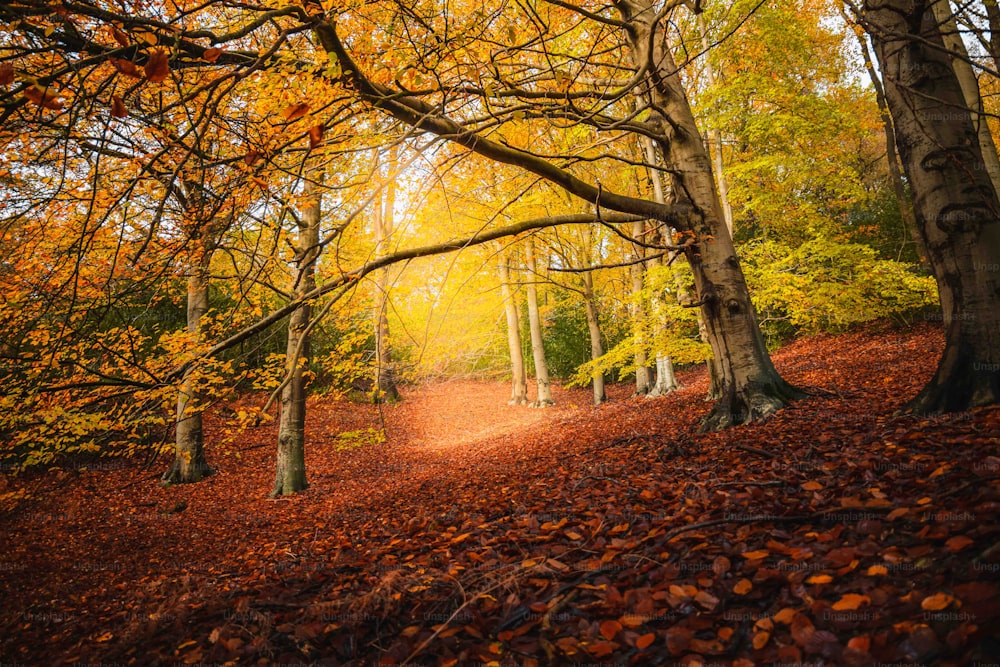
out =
column 750, row 386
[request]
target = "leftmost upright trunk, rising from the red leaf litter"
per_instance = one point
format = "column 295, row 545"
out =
column 189, row 463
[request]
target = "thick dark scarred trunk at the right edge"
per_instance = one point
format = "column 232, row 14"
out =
column 956, row 204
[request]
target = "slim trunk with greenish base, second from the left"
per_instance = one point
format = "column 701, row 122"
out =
column 290, row 474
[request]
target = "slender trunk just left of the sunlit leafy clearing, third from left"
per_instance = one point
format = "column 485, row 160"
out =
column 385, row 378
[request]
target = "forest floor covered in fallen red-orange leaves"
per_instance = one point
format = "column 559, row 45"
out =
column 833, row 534
